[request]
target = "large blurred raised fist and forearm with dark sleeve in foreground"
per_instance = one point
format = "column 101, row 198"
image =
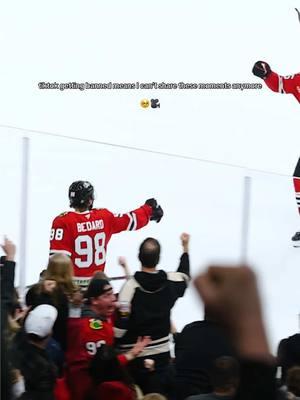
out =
column 231, row 296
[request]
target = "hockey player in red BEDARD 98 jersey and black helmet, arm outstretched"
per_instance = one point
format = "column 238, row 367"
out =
column 84, row 233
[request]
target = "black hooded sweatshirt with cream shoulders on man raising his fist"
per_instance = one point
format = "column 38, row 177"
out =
column 151, row 296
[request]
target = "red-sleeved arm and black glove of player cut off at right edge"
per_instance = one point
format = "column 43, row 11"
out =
column 281, row 84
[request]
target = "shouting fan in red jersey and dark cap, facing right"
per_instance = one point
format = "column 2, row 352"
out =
column 87, row 334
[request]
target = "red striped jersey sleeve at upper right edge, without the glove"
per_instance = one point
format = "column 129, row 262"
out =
column 284, row 84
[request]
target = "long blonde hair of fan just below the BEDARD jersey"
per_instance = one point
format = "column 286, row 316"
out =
column 60, row 269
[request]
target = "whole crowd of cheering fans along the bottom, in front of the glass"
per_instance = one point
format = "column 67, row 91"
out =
column 69, row 343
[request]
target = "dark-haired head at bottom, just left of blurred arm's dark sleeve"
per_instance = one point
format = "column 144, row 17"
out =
column 225, row 373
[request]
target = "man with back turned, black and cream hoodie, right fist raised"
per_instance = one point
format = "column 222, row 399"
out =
column 146, row 301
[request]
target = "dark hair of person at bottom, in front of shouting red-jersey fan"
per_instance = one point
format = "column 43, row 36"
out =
column 105, row 367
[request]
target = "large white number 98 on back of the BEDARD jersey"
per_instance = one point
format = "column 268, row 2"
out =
column 91, row 249
